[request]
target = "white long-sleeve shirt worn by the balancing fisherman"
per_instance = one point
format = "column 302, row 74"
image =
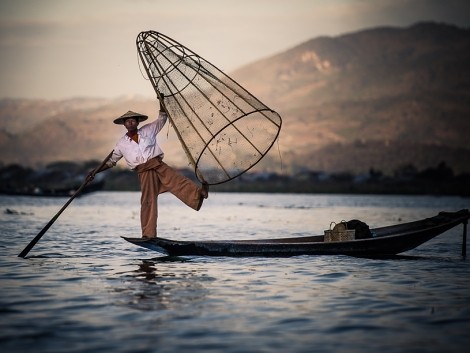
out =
column 147, row 148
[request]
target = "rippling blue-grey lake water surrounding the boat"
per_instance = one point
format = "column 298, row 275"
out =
column 84, row 289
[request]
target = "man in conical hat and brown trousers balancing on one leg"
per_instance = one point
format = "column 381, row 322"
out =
column 141, row 151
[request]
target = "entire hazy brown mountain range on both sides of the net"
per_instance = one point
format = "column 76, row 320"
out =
column 379, row 98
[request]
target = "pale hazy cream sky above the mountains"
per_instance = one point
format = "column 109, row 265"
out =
column 55, row 49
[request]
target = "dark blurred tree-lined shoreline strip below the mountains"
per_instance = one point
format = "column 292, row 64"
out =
column 440, row 181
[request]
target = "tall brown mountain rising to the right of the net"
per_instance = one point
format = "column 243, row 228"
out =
column 385, row 96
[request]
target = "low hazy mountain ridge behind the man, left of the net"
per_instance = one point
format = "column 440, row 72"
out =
column 37, row 132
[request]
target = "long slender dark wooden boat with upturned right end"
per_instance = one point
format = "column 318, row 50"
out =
column 386, row 241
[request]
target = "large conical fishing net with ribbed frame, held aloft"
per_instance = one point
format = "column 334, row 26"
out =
column 224, row 129
